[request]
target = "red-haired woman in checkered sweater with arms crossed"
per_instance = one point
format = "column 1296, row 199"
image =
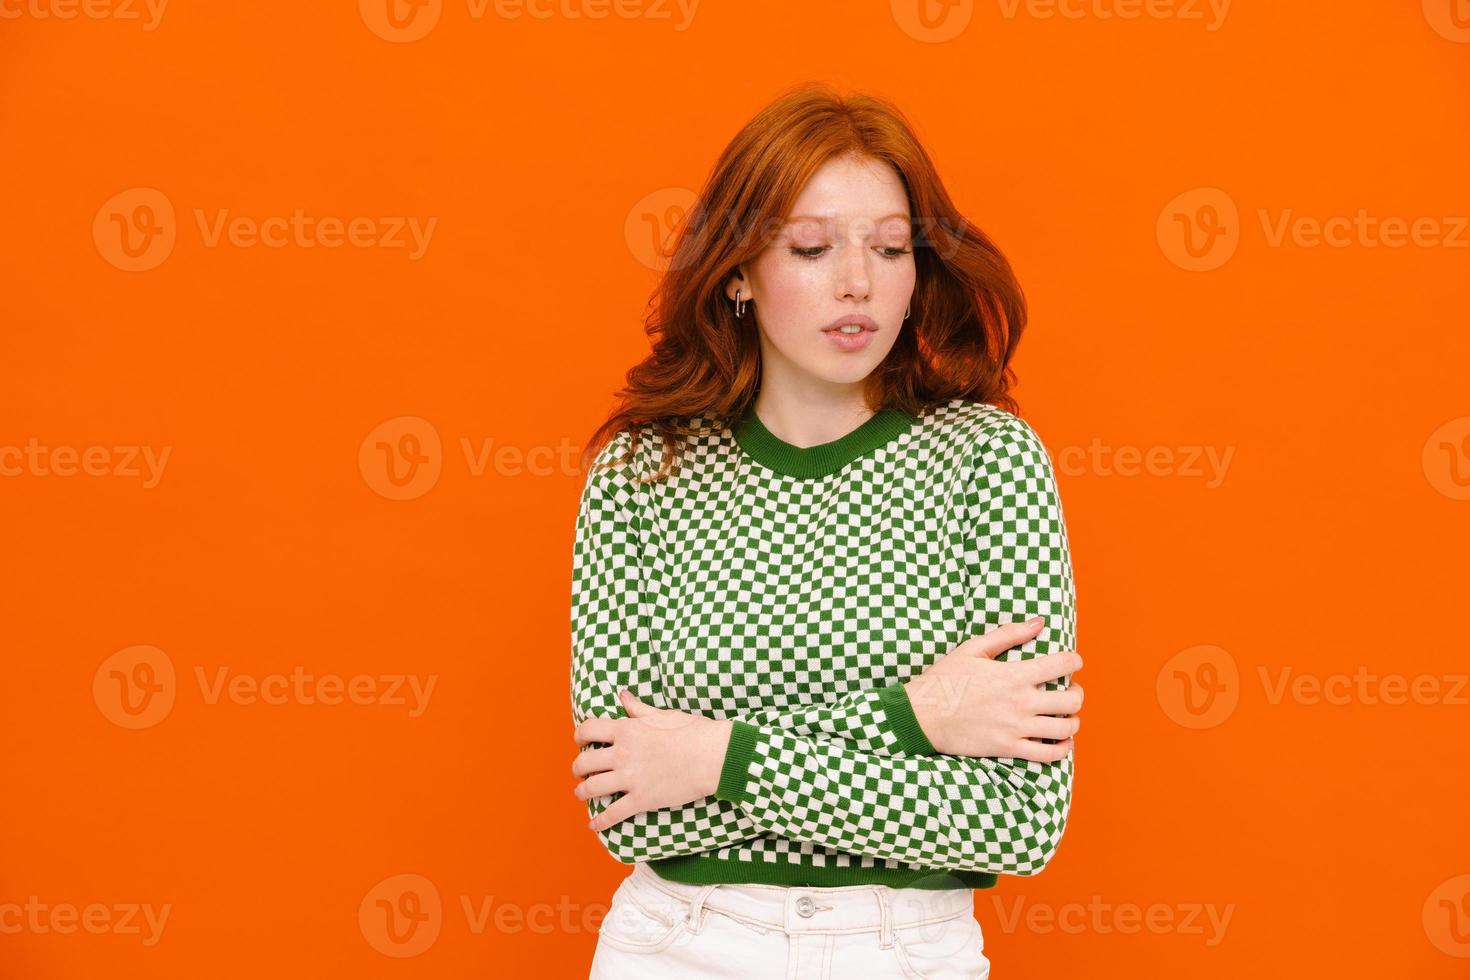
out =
column 822, row 610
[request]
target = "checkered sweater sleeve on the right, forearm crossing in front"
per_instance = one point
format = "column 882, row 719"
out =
column 1003, row 816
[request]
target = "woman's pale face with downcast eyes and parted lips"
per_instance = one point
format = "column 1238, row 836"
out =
column 846, row 249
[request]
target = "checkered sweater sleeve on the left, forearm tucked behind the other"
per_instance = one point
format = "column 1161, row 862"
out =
column 612, row 650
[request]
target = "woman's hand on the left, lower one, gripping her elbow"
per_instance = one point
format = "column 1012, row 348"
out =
column 656, row 757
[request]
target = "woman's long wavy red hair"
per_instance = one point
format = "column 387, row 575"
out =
column 968, row 309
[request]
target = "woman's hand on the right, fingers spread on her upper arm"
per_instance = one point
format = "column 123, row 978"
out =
column 969, row 705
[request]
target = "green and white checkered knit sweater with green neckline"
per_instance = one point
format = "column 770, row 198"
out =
column 795, row 590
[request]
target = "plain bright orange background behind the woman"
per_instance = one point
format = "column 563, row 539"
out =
column 548, row 149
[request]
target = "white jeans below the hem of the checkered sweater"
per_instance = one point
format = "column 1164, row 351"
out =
column 668, row 931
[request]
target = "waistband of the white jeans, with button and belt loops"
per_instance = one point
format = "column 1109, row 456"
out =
column 849, row 909
